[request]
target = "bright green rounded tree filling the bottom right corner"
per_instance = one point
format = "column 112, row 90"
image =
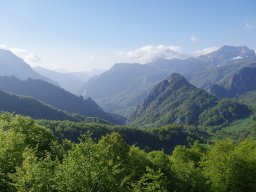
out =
column 231, row 168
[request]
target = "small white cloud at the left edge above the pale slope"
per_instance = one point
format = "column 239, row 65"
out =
column 27, row 56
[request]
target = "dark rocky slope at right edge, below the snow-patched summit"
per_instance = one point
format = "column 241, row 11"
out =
column 236, row 84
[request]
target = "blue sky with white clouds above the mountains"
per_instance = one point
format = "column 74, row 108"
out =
column 81, row 35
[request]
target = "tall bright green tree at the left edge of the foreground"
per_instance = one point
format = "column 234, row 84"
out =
column 17, row 135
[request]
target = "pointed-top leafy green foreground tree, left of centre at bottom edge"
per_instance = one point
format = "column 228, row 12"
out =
column 85, row 168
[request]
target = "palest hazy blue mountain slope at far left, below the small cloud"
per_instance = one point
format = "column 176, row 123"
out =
column 11, row 65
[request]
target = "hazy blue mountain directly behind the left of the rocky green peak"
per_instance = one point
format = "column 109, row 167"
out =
column 123, row 86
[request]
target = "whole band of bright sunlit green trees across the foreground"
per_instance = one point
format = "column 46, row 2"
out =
column 31, row 159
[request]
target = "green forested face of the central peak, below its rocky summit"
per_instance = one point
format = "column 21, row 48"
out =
column 181, row 106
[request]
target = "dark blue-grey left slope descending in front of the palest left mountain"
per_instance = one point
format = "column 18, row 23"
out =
column 56, row 97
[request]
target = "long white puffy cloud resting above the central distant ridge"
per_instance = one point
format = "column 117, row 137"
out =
column 150, row 53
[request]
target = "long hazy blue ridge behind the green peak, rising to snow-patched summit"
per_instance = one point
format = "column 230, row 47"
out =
column 124, row 86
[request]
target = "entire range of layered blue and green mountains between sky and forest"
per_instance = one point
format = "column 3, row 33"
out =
column 142, row 92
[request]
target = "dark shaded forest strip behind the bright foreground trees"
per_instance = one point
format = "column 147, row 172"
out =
column 158, row 138
